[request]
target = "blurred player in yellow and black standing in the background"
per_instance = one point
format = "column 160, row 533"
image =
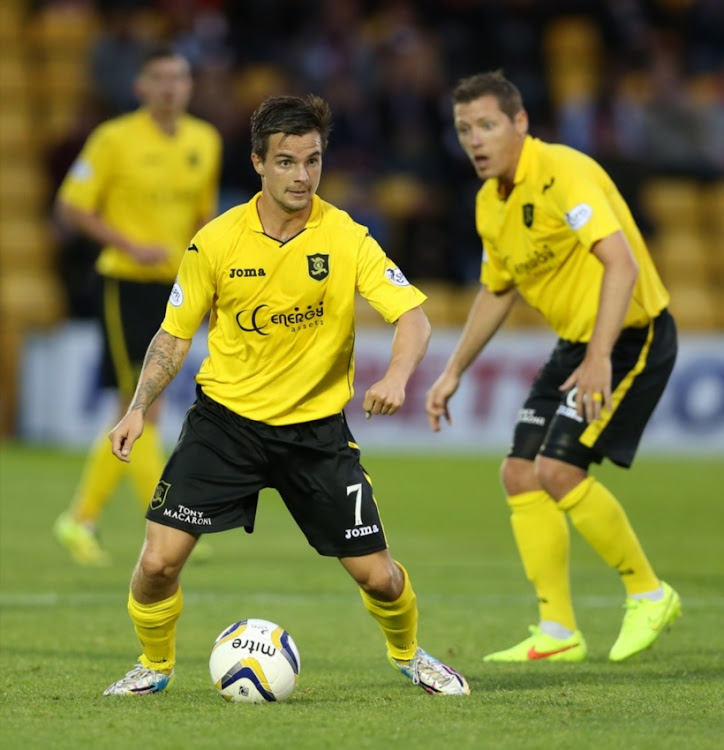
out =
column 143, row 183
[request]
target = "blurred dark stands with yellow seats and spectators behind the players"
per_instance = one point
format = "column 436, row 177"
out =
column 638, row 84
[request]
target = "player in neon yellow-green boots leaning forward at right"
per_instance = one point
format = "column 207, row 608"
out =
column 556, row 231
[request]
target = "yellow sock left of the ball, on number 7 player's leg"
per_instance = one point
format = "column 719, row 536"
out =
column 155, row 626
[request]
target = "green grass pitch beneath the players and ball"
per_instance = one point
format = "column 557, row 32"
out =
column 65, row 634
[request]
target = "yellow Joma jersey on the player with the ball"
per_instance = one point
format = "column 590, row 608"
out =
column 281, row 329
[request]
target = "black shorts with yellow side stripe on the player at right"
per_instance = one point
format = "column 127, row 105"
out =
column 642, row 361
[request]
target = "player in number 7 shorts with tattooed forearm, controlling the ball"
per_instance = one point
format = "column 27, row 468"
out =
column 278, row 276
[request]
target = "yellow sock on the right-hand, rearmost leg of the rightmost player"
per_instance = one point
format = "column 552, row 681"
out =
column 603, row 523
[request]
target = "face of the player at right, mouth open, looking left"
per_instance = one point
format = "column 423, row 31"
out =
column 491, row 140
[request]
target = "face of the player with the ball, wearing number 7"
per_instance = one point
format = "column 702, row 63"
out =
column 291, row 170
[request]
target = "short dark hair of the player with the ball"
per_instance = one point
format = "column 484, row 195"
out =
column 291, row 115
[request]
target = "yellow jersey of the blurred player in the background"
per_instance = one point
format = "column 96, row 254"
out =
column 152, row 187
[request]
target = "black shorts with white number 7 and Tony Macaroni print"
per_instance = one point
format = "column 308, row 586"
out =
column 222, row 460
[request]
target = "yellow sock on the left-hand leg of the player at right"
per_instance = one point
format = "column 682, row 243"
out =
column 541, row 534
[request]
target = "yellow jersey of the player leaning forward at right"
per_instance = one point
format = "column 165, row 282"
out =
column 540, row 239
